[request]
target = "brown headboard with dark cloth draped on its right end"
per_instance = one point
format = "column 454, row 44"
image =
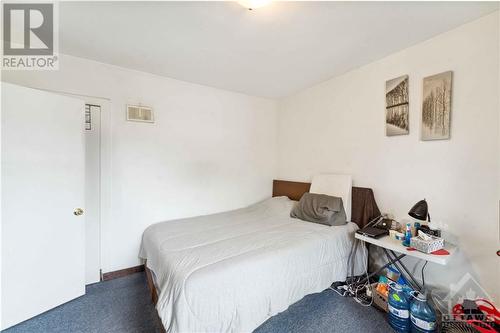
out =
column 363, row 205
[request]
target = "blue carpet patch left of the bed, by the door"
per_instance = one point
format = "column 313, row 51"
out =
column 121, row 305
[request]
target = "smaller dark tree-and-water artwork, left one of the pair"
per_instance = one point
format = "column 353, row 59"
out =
column 396, row 106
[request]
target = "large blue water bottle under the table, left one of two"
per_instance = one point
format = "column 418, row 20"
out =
column 399, row 308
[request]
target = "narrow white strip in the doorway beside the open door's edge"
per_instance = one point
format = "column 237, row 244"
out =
column 92, row 192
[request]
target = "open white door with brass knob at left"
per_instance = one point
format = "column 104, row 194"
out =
column 43, row 254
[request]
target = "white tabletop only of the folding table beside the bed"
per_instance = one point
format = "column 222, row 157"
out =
column 396, row 246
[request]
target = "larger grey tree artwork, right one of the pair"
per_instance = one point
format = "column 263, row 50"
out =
column 436, row 107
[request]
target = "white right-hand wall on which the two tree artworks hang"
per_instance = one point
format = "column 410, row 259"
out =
column 338, row 126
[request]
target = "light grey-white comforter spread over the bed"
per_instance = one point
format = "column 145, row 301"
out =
column 229, row 272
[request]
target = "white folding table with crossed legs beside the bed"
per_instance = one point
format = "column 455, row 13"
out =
column 391, row 246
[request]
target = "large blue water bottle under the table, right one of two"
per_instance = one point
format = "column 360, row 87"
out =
column 423, row 317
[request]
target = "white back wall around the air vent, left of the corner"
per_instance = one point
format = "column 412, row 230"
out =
column 210, row 150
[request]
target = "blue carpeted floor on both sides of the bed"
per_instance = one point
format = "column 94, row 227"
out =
column 123, row 305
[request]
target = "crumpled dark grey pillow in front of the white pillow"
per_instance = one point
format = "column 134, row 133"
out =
column 320, row 208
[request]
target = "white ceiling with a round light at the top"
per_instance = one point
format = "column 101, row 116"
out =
column 271, row 52
